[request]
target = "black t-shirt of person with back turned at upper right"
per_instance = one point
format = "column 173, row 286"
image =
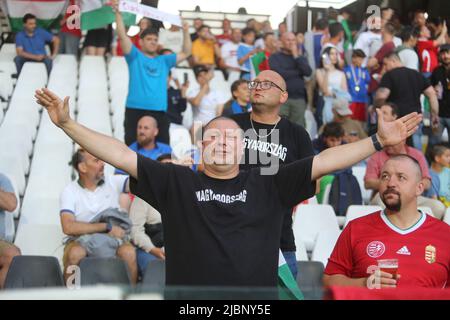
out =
column 406, row 86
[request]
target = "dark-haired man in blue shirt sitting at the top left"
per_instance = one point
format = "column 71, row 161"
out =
column 30, row 44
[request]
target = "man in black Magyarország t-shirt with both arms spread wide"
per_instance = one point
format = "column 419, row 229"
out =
column 221, row 227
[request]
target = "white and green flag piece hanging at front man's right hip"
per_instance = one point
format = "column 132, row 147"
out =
column 287, row 285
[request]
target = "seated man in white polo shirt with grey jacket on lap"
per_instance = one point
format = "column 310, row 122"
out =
column 82, row 200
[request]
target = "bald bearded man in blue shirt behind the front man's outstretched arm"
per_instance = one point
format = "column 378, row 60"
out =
column 146, row 144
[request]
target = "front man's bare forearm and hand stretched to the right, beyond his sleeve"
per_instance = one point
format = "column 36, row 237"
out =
column 344, row 156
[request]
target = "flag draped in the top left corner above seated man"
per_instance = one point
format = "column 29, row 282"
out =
column 47, row 12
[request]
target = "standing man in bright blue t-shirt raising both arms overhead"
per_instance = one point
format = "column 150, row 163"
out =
column 147, row 94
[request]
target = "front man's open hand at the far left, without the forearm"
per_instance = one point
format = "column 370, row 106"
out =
column 57, row 109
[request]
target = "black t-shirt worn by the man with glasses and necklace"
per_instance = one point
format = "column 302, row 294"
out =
column 293, row 144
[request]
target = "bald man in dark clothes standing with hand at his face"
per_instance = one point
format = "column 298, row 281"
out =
column 292, row 67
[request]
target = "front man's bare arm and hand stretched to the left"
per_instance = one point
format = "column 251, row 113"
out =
column 101, row 146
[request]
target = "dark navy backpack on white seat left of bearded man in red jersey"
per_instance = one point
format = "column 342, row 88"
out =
column 344, row 192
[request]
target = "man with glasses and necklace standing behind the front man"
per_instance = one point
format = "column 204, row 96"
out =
column 271, row 140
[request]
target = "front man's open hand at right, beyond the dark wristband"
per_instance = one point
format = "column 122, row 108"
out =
column 394, row 132
